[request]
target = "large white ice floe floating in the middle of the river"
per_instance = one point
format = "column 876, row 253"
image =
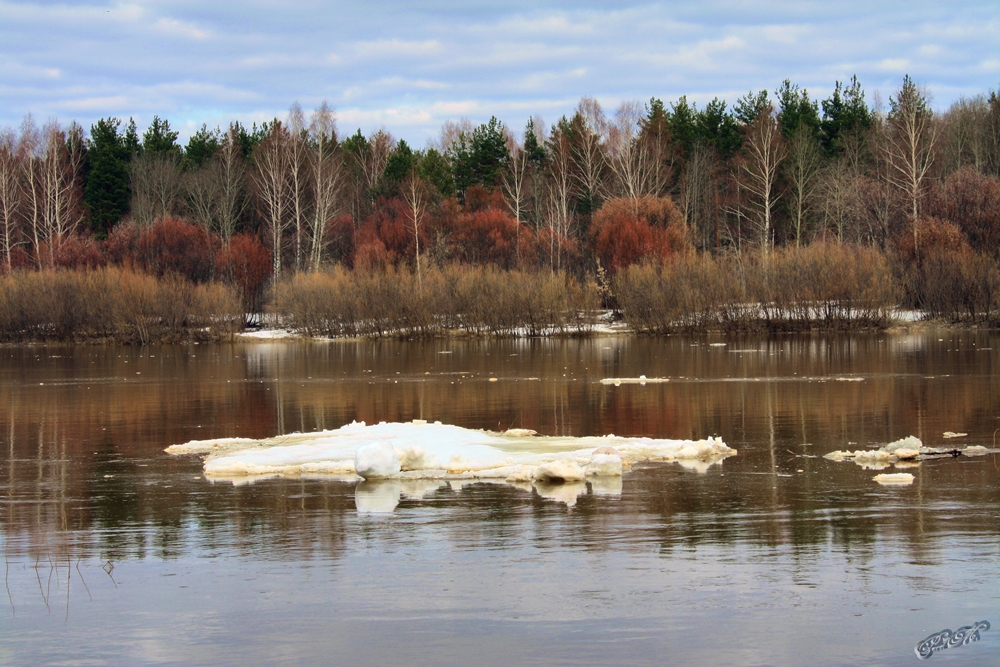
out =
column 392, row 456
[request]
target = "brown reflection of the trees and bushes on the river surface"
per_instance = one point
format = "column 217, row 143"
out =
column 84, row 464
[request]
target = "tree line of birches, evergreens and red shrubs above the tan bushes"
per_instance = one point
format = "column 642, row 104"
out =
column 596, row 189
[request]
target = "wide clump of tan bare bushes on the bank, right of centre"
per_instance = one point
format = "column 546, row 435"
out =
column 826, row 286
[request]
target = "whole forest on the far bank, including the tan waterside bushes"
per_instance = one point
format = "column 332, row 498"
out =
column 776, row 212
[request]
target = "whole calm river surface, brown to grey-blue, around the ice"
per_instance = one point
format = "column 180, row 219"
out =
column 119, row 554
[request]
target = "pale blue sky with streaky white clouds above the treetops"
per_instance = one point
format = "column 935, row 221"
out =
column 409, row 66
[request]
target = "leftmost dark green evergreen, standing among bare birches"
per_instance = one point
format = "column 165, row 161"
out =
column 106, row 193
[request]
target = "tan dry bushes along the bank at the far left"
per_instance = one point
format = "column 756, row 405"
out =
column 113, row 304
